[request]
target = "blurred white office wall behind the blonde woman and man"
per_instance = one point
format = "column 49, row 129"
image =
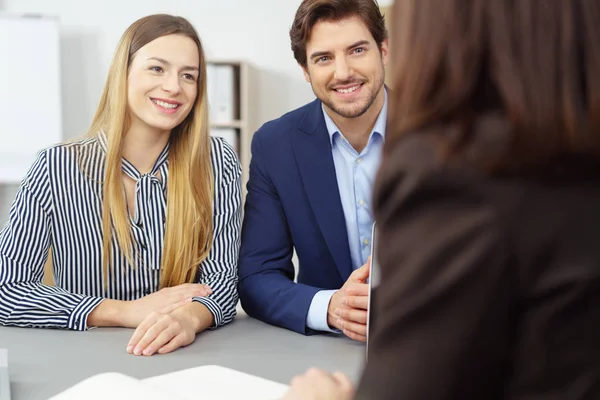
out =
column 254, row 31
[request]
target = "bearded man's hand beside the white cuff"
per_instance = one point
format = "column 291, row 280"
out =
column 348, row 306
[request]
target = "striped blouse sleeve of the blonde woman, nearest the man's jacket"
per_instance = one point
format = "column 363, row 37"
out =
column 219, row 270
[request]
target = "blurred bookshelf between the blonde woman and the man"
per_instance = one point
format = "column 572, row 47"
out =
column 232, row 85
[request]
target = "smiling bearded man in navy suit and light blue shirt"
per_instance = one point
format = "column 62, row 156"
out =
column 311, row 178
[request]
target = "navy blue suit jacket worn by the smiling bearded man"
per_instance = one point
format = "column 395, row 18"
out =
column 293, row 201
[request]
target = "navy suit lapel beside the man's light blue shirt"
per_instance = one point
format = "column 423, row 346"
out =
column 312, row 149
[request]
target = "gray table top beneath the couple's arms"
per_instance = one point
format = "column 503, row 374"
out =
column 44, row 362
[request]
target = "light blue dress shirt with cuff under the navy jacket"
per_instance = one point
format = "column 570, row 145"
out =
column 355, row 176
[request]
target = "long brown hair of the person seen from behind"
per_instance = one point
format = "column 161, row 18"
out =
column 534, row 62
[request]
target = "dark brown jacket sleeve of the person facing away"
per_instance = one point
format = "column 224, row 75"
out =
column 442, row 310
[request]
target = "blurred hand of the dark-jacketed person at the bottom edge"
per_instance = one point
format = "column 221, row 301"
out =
column 316, row 385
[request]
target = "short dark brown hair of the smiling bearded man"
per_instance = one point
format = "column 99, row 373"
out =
column 312, row 11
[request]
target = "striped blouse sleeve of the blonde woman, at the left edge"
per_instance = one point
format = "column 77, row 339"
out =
column 24, row 244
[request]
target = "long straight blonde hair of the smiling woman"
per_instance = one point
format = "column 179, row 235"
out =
column 188, row 231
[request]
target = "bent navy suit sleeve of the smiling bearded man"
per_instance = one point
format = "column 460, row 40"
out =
column 267, row 288
